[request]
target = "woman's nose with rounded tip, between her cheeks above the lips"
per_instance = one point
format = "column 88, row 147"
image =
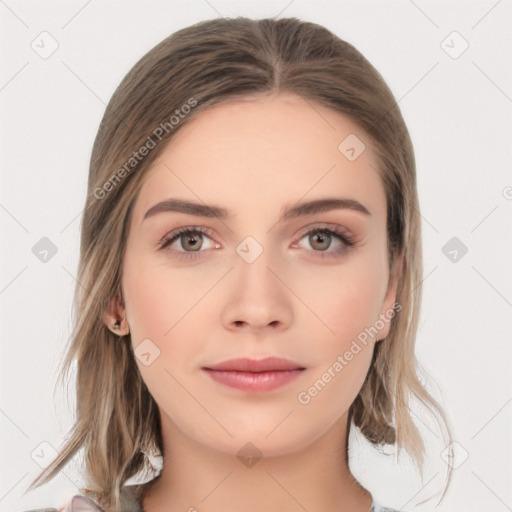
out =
column 258, row 298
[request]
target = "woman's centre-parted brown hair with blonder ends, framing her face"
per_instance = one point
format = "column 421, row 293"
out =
column 210, row 63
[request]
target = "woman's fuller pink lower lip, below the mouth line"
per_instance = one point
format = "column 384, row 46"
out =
column 252, row 381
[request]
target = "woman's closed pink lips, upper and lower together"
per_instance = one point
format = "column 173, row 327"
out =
column 255, row 376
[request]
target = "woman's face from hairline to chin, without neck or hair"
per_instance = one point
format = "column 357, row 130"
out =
column 254, row 281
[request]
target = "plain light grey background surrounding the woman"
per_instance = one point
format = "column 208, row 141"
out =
column 458, row 111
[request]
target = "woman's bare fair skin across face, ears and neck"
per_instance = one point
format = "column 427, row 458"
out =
column 256, row 157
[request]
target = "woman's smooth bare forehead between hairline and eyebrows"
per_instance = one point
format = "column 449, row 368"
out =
column 260, row 153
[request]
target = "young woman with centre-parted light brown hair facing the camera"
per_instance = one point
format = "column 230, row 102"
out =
column 249, row 277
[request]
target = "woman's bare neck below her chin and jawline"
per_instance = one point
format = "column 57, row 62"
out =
column 196, row 477
